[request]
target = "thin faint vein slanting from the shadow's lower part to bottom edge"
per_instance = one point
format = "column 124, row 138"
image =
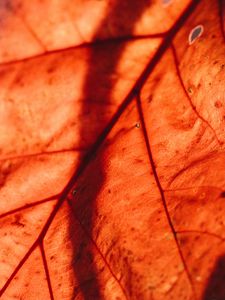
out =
column 99, row 251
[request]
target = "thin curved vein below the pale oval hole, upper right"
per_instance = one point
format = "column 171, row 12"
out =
column 186, row 93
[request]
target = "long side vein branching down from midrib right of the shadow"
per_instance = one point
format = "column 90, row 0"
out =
column 155, row 174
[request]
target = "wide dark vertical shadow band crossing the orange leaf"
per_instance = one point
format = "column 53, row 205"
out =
column 95, row 106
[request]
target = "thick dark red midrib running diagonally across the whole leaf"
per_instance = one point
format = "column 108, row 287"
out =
column 134, row 91
